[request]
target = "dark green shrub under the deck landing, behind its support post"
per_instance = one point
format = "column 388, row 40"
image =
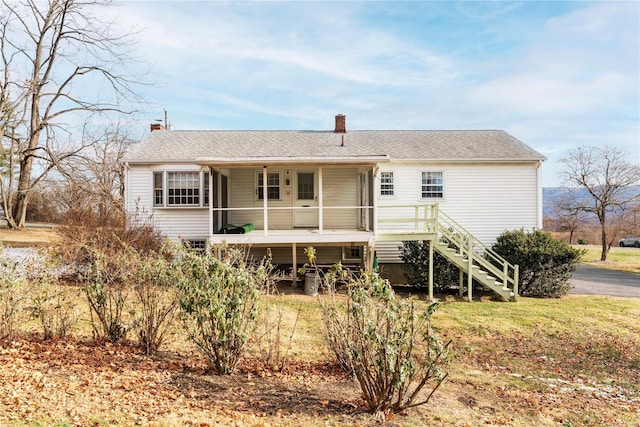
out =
column 415, row 255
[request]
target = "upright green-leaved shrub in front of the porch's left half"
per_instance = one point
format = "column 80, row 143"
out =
column 219, row 300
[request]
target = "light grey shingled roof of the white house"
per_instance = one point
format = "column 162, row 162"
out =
column 395, row 145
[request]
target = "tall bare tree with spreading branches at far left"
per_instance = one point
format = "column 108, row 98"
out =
column 53, row 54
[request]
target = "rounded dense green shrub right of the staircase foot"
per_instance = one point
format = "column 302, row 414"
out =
column 546, row 263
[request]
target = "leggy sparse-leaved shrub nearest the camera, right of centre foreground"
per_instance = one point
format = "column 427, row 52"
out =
column 385, row 342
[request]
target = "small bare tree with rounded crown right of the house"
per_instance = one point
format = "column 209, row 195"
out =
column 605, row 174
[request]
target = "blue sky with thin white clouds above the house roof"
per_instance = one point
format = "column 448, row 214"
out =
column 554, row 74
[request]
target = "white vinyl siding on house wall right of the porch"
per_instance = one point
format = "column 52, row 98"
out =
column 486, row 199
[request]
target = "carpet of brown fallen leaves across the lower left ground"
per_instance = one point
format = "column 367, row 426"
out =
column 86, row 383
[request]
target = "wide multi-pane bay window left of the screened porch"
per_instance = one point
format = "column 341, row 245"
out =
column 181, row 189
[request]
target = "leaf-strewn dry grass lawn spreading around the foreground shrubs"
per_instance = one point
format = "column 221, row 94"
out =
column 573, row 361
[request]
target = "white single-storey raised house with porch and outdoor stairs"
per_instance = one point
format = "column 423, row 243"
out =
column 346, row 193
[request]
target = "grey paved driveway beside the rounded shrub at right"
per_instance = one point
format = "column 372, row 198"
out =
column 589, row 280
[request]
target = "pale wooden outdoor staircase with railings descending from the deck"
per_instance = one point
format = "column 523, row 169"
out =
column 471, row 256
